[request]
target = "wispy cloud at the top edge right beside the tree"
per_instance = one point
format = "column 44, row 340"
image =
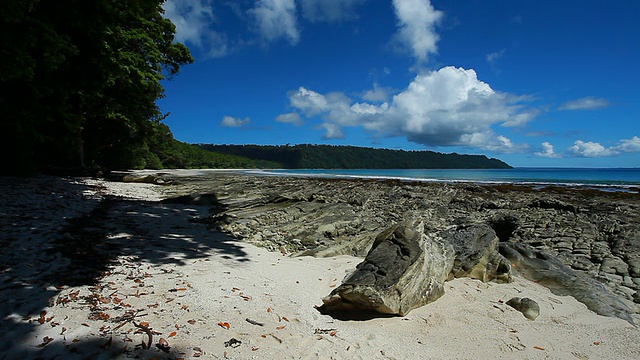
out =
column 192, row 19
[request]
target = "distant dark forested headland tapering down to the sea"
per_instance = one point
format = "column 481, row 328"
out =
column 352, row 157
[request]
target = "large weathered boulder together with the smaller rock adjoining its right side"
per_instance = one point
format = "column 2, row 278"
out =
column 407, row 267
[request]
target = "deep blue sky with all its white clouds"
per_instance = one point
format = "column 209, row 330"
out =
column 531, row 82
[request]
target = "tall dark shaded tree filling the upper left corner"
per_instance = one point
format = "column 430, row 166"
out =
column 84, row 77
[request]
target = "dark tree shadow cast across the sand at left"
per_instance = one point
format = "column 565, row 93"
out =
column 55, row 234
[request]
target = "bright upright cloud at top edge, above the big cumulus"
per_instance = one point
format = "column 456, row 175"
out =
column 416, row 21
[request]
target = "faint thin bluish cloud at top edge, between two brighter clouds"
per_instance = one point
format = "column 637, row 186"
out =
column 329, row 10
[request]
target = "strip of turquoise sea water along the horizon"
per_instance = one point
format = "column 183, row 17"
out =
column 616, row 177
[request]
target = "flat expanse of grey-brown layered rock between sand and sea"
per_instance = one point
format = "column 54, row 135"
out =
column 593, row 232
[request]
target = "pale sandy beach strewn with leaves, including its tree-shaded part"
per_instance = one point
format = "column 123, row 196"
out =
column 103, row 270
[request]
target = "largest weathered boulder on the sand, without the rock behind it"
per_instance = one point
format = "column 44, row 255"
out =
column 404, row 269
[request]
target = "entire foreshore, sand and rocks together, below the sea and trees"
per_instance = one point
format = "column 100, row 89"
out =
column 165, row 265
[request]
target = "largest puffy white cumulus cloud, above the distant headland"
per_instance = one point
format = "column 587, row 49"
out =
column 448, row 107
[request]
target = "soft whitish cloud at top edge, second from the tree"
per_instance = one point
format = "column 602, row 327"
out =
column 277, row 19
